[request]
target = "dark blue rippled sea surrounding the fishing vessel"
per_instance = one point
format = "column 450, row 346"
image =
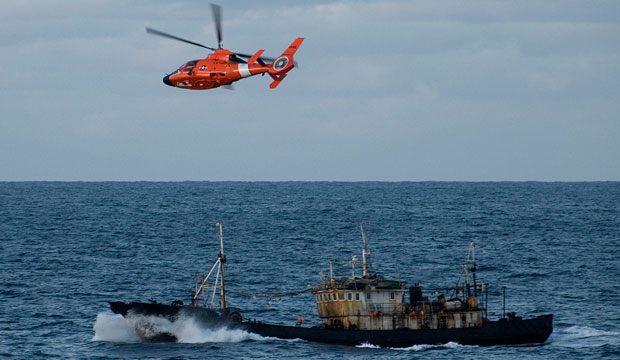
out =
column 70, row 247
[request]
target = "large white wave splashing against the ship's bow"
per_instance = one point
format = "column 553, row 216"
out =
column 115, row 328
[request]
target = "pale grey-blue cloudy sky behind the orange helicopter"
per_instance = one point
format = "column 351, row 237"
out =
column 386, row 90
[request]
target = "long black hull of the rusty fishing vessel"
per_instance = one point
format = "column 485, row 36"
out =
column 511, row 331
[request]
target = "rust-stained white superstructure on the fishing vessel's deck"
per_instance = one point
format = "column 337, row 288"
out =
column 372, row 302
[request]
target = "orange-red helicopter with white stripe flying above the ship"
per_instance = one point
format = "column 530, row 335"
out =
column 223, row 67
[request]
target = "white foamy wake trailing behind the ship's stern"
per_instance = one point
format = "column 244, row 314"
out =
column 584, row 336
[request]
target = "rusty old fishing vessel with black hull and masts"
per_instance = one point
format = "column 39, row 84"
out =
column 361, row 309
